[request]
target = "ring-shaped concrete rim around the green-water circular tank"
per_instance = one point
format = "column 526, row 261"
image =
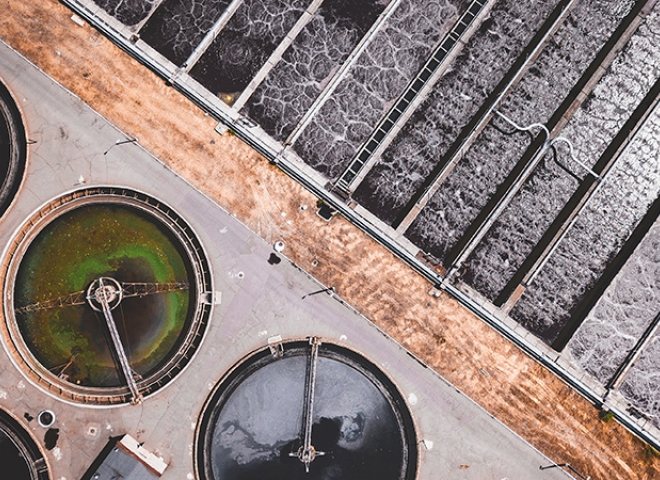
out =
column 104, row 397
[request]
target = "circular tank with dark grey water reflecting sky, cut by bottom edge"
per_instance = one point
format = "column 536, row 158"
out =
column 312, row 411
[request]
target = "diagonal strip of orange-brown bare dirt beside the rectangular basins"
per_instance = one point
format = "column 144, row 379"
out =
column 511, row 386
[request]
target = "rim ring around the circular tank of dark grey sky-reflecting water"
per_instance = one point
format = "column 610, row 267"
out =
column 210, row 411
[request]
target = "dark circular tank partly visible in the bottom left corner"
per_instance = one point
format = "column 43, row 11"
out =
column 20, row 457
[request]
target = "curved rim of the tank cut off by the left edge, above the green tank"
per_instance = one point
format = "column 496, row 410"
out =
column 13, row 183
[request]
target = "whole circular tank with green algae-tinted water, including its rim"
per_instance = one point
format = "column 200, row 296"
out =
column 104, row 295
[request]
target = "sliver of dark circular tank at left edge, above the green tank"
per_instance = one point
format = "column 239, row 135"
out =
column 12, row 148
